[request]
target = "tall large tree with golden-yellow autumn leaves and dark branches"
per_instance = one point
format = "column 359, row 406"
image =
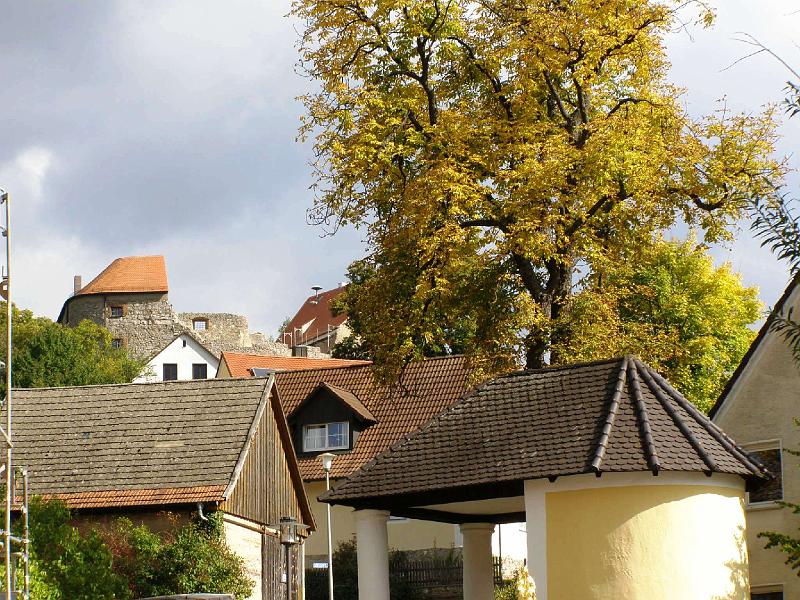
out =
column 490, row 147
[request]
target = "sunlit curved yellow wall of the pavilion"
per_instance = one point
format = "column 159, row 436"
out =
column 656, row 542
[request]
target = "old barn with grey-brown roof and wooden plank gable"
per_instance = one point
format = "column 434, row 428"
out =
column 188, row 447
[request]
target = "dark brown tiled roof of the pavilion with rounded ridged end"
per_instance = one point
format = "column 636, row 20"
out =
column 611, row 416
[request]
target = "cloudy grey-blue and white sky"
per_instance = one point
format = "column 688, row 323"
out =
column 169, row 127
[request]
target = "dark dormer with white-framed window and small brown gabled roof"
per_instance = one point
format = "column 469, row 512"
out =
column 329, row 419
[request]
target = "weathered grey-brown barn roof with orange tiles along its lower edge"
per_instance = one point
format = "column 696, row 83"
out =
column 134, row 444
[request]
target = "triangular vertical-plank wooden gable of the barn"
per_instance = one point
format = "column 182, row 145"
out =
column 265, row 490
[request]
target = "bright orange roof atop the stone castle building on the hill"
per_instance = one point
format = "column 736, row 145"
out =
column 130, row 274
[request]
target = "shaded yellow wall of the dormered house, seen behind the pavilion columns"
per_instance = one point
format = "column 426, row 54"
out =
column 408, row 534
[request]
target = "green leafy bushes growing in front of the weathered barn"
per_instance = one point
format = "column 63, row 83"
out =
column 125, row 561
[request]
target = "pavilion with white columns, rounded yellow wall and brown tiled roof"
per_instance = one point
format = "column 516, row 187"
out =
column 627, row 490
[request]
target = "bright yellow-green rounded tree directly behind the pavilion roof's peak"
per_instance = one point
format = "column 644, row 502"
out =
column 670, row 305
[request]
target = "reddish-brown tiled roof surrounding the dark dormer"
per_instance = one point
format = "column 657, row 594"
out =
column 424, row 390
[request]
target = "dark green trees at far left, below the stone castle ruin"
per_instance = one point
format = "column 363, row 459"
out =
column 48, row 354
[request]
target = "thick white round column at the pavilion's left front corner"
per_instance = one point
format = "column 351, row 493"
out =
column 373, row 554
